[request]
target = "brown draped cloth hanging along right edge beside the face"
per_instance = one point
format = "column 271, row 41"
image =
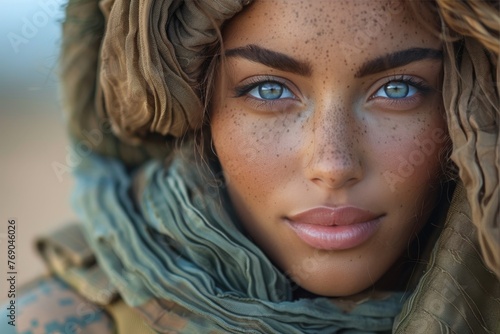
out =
column 471, row 94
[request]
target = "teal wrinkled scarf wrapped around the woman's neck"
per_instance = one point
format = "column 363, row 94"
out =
column 173, row 240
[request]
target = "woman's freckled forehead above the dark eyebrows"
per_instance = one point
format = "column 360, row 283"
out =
column 350, row 29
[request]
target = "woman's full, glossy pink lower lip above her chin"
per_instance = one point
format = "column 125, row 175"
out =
column 335, row 237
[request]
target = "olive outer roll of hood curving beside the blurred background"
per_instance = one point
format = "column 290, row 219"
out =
column 83, row 30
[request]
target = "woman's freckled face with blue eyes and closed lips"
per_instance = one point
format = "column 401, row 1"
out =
column 328, row 125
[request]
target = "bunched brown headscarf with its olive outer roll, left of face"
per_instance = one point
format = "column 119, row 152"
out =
column 131, row 71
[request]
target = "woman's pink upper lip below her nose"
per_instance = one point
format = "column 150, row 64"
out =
column 331, row 216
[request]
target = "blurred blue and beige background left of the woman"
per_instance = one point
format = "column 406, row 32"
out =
column 32, row 131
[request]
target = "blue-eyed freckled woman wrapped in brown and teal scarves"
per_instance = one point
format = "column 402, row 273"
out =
column 311, row 188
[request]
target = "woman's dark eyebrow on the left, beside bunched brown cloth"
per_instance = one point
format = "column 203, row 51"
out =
column 274, row 59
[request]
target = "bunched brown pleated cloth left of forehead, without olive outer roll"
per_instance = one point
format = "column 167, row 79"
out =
column 151, row 60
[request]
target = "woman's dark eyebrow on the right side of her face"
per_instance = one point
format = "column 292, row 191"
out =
column 397, row 59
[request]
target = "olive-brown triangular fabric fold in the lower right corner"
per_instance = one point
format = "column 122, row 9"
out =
column 457, row 293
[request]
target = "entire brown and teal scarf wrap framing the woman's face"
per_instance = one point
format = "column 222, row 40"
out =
column 134, row 67
